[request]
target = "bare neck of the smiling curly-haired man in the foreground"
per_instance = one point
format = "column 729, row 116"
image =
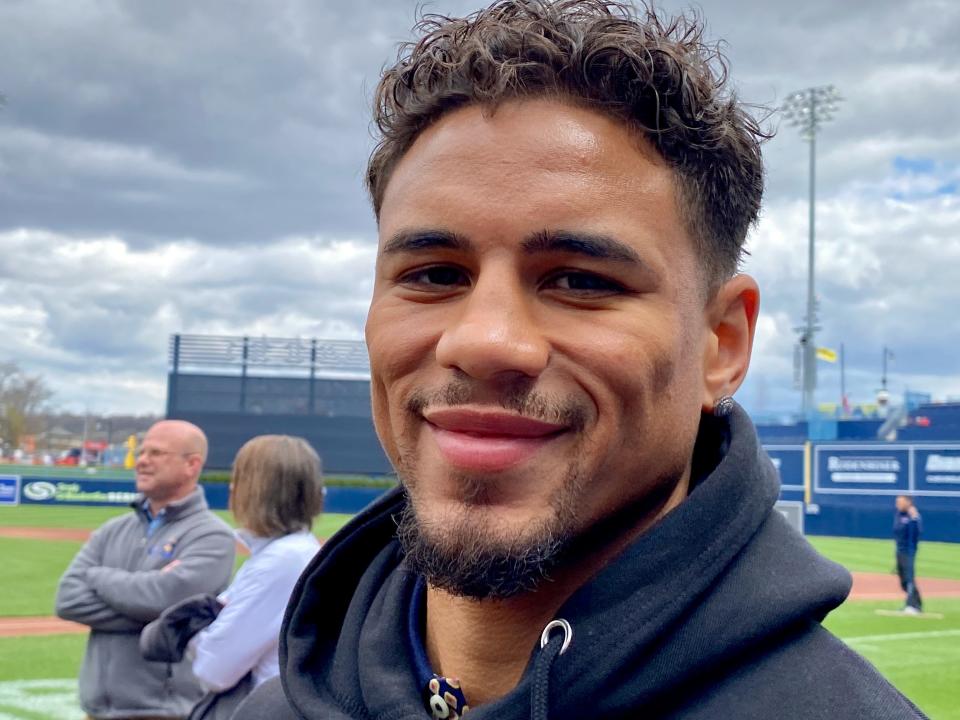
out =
column 486, row 644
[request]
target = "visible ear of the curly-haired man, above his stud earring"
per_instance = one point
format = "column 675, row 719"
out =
column 732, row 318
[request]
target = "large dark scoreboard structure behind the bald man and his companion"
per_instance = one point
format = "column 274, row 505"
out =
column 238, row 387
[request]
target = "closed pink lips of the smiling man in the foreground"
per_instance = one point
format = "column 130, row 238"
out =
column 488, row 441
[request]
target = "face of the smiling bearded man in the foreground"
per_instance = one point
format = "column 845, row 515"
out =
column 537, row 329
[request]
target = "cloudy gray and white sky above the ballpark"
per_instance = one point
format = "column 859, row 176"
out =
column 196, row 168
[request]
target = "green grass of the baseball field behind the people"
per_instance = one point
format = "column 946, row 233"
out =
column 925, row 667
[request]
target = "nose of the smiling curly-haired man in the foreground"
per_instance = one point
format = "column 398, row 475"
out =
column 495, row 332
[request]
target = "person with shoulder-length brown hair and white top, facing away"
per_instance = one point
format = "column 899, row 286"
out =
column 276, row 491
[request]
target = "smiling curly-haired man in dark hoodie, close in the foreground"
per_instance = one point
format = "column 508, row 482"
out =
column 586, row 523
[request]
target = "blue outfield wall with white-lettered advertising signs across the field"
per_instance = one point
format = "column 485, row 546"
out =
column 842, row 489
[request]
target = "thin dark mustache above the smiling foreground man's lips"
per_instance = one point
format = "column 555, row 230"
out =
column 519, row 397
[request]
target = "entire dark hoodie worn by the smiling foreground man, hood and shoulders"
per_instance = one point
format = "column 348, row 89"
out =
column 713, row 613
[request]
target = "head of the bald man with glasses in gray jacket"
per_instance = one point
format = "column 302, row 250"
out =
column 165, row 463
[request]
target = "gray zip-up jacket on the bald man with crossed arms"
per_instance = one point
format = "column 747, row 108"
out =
column 122, row 579
